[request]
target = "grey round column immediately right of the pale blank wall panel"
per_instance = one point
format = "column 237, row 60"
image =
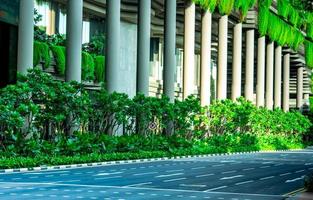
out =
column 143, row 49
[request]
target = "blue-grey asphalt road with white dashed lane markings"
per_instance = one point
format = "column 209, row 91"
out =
column 241, row 176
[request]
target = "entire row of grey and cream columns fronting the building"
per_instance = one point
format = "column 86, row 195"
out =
column 265, row 56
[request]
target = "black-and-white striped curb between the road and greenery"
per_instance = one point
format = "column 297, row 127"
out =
column 97, row 164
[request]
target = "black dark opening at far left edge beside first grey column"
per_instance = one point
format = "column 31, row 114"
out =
column 8, row 54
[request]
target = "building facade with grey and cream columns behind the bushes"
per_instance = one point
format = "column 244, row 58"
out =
column 173, row 47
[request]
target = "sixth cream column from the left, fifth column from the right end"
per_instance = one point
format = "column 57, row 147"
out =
column 261, row 73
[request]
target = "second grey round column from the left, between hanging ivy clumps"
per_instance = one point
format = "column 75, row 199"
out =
column 74, row 40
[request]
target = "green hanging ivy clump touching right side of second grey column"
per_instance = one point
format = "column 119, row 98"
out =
column 88, row 67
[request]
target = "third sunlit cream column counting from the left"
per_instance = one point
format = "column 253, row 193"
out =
column 222, row 58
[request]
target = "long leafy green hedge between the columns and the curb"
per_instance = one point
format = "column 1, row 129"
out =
column 42, row 116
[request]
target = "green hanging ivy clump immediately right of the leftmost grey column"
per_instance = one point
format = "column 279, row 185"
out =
column 41, row 53
